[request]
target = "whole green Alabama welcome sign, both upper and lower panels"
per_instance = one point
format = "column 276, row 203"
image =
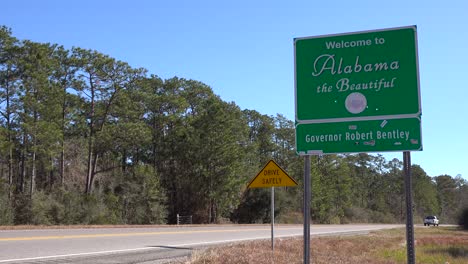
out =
column 358, row 92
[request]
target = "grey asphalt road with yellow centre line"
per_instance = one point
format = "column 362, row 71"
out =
column 142, row 245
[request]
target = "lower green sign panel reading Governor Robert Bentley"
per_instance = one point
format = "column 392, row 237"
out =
column 359, row 136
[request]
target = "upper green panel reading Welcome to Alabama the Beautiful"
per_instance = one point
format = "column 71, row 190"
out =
column 357, row 76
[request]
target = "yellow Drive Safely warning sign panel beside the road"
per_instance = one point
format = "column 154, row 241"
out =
column 272, row 175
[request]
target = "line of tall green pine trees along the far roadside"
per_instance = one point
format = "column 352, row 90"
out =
column 88, row 139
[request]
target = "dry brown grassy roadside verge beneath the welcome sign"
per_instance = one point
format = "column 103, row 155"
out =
column 433, row 245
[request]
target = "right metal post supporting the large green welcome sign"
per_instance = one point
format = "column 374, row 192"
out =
column 409, row 208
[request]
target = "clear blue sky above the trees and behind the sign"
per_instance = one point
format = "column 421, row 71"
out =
column 244, row 50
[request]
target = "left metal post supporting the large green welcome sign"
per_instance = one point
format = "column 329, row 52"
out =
column 307, row 209
